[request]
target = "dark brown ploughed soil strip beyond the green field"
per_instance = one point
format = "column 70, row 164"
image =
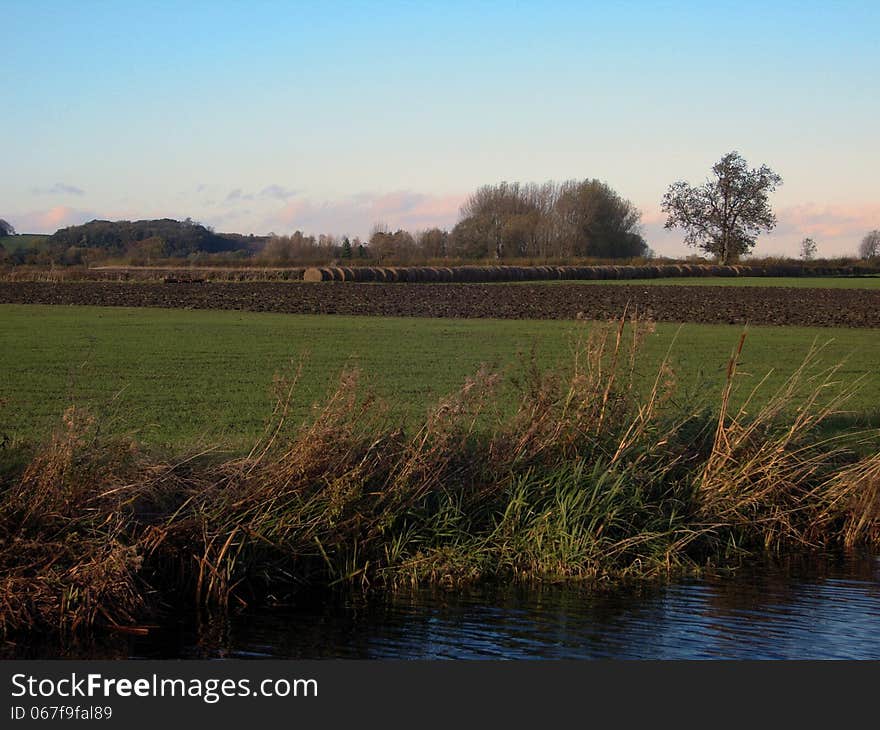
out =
column 727, row 305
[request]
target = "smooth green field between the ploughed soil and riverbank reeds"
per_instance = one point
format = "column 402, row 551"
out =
column 176, row 379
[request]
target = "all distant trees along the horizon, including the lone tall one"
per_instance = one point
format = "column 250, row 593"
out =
column 574, row 219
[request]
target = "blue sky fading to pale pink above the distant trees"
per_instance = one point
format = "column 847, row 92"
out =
column 329, row 117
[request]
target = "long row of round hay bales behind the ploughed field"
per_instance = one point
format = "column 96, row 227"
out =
column 478, row 274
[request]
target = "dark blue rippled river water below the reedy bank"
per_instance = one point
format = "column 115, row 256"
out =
column 827, row 609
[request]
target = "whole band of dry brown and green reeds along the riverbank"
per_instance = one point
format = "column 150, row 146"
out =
column 586, row 477
